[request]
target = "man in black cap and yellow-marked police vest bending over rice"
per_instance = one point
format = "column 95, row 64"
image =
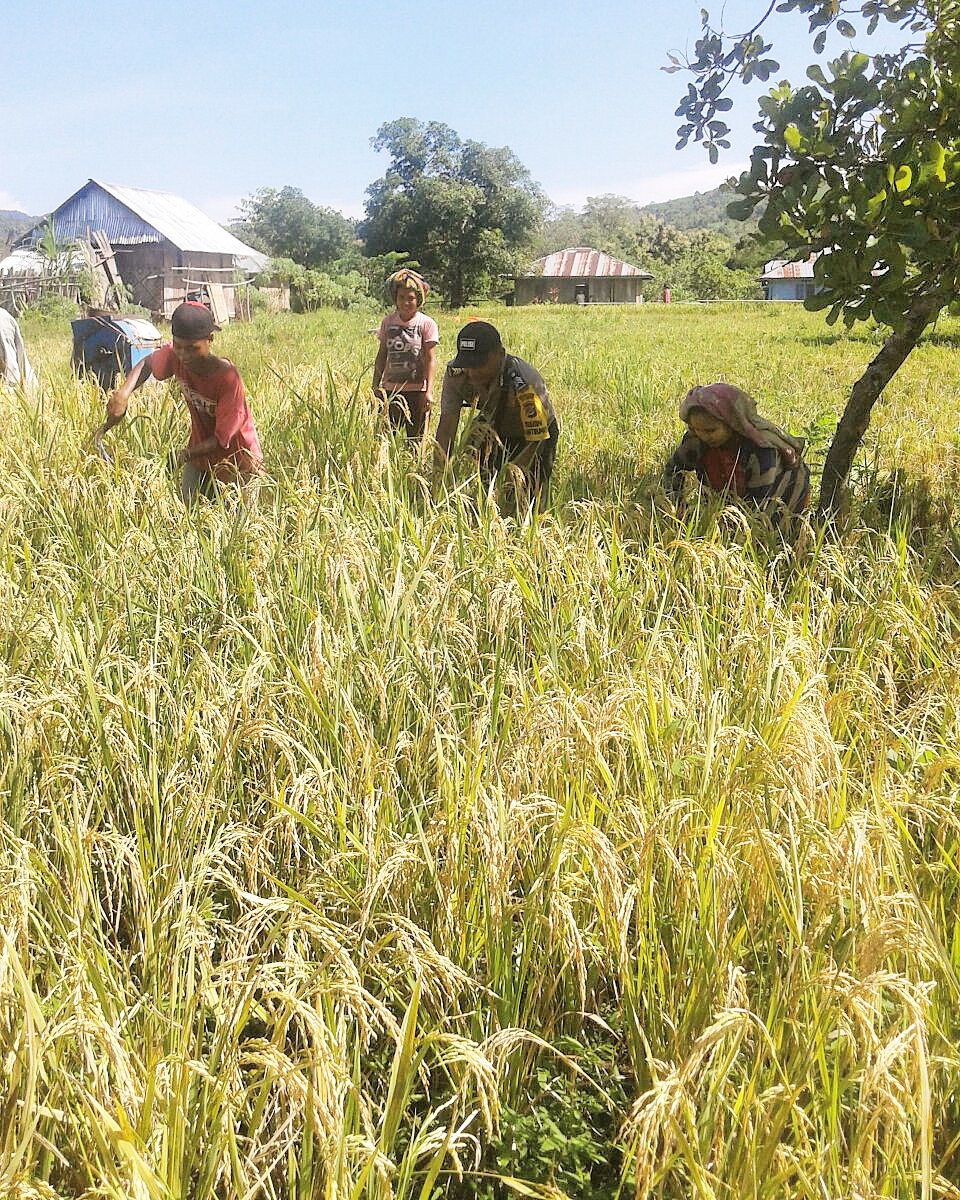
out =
column 514, row 424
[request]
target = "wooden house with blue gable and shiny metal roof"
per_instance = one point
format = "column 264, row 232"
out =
column 163, row 248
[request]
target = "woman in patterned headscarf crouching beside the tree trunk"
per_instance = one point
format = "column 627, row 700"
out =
column 731, row 449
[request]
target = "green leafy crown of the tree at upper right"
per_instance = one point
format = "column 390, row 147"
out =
column 860, row 165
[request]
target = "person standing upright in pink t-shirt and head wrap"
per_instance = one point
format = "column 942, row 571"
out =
column 406, row 362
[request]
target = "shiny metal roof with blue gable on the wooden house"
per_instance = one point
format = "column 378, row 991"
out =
column 135, row 215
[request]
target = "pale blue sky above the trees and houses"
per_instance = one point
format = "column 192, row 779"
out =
column 214, row 100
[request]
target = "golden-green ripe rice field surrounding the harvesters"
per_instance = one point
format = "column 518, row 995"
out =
column 364, row 843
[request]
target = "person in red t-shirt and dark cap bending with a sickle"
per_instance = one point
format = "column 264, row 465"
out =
column 224, row 447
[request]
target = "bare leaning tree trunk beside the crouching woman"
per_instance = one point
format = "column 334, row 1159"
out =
column 865, row 394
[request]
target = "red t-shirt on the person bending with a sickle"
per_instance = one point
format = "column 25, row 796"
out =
column 218, row 409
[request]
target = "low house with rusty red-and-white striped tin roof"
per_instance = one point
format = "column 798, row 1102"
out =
column 580, row 275
